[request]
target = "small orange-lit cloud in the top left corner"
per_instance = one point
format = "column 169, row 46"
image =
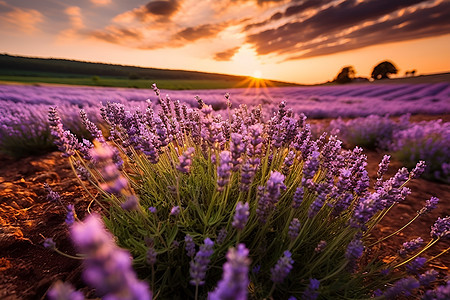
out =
column 26, row 20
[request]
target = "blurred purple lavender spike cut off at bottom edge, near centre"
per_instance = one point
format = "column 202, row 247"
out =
column 235, row 276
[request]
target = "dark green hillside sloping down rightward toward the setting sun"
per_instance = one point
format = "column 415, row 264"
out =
column 31, row 70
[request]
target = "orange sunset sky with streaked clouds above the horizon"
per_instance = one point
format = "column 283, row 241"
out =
column 302, row 41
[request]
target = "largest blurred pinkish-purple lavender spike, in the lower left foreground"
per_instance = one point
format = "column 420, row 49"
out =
column 107, row 267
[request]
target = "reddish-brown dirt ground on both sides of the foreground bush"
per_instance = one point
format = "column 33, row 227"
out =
column 27, row 269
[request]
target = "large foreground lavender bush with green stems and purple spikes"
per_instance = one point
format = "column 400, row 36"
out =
column 187, row 191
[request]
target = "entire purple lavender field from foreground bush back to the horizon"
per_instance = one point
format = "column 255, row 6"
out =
column 225, row 182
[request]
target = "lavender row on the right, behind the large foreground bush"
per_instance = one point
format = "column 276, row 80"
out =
column 408, row 142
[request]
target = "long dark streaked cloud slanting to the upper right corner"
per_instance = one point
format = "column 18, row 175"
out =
column 331, row 24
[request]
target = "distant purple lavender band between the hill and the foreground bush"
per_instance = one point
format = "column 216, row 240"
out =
column 314, row 102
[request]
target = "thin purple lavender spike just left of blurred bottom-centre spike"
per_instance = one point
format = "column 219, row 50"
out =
column 199, row 265
